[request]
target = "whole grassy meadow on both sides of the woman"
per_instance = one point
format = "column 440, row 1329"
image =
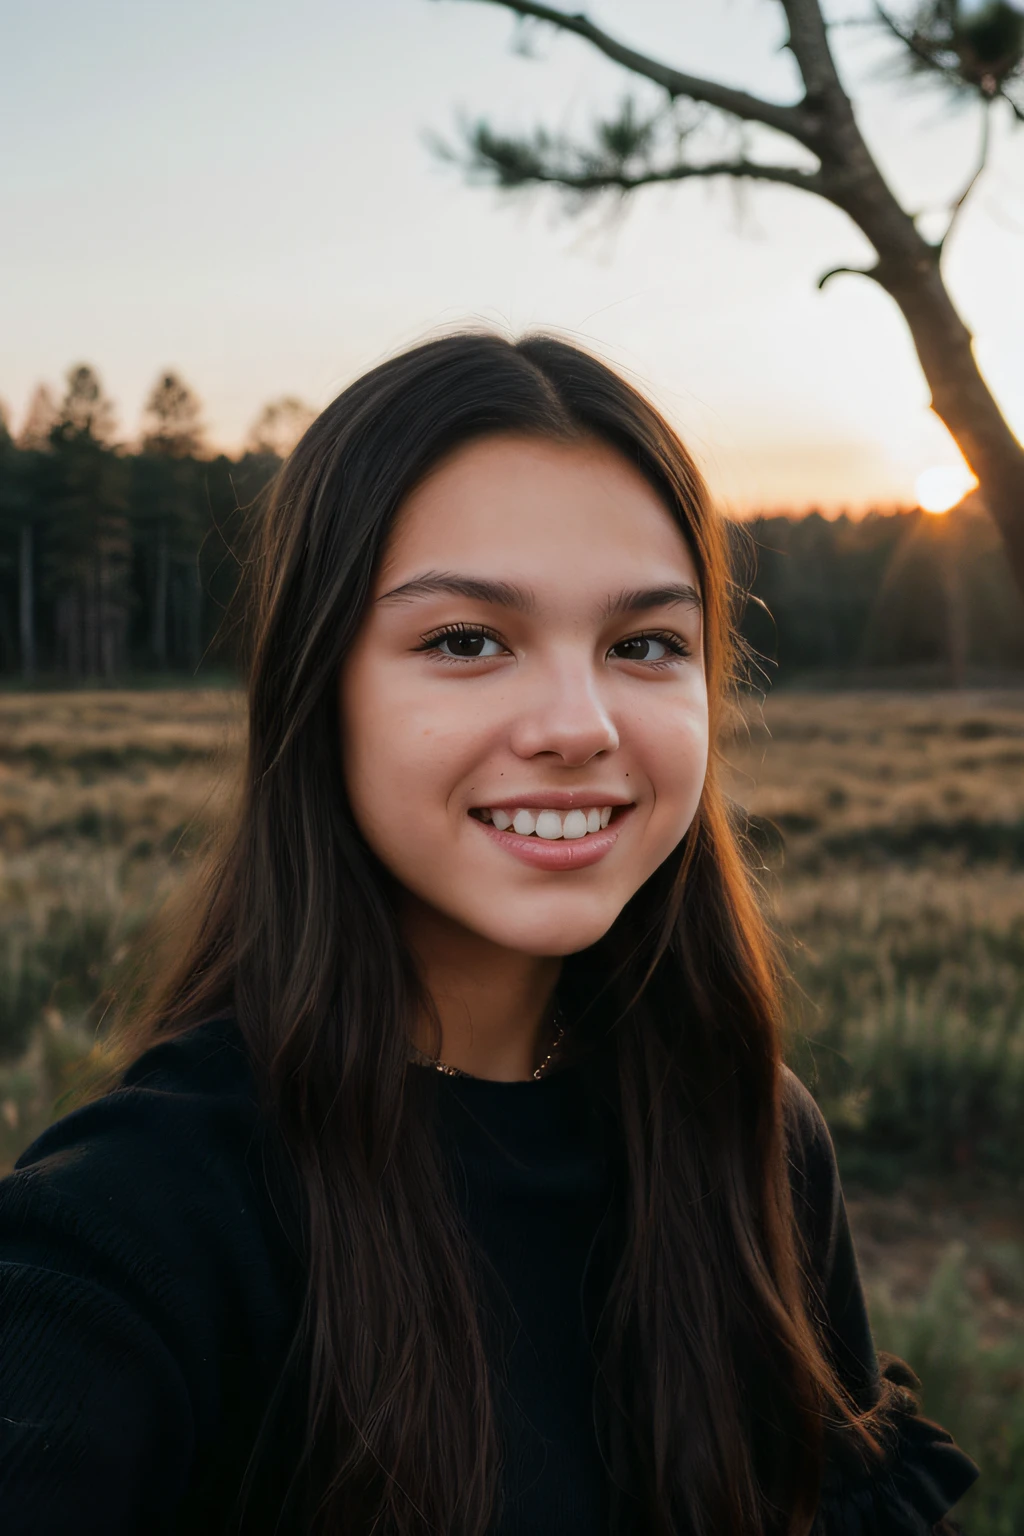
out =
column 890, row 838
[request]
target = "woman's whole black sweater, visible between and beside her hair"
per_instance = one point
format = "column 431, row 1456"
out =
column 150, row 1286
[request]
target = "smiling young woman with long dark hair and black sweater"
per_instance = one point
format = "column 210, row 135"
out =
column 457, row 1185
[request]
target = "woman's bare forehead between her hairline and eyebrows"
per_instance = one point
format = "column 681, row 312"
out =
column 517, row 506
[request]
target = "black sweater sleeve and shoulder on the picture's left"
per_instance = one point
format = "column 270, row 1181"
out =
column 136, row 1299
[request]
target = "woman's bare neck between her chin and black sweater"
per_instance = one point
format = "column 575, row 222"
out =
column 495, row 1007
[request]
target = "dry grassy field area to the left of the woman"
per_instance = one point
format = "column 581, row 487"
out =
column 104, row 796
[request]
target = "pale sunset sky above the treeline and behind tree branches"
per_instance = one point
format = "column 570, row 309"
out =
column 240, row 190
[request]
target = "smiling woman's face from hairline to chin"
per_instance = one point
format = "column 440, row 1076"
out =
column 524, row 712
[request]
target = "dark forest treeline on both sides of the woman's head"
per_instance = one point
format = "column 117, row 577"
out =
column 122, row 564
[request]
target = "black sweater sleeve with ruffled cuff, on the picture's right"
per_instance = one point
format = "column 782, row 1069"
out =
column 922, row 1474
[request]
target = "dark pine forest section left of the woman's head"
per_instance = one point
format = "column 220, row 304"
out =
column 119, row 563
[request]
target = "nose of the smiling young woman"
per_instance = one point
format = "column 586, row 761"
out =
column 564, row 715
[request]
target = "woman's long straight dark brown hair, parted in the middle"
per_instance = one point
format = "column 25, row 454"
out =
column 709, row 1325
